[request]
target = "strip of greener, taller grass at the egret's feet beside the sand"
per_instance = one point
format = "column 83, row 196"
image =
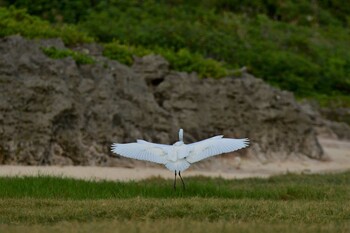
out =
column 289, row 187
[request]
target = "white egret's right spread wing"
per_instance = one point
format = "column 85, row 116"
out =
column 214, row 146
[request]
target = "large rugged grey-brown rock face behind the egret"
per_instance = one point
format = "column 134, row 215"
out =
column 56, row 112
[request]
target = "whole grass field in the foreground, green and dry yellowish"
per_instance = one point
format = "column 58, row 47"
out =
column 289, row 203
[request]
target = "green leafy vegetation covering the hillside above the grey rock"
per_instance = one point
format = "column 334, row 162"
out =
column 300, row 46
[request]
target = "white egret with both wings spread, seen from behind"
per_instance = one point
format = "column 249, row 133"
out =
column 179, row 156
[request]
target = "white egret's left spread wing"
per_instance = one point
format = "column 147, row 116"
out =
column 142, row 150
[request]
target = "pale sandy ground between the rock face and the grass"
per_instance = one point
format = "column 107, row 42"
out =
column 338, row 152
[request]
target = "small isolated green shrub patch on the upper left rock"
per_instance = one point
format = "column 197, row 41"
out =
column 79, row 58
